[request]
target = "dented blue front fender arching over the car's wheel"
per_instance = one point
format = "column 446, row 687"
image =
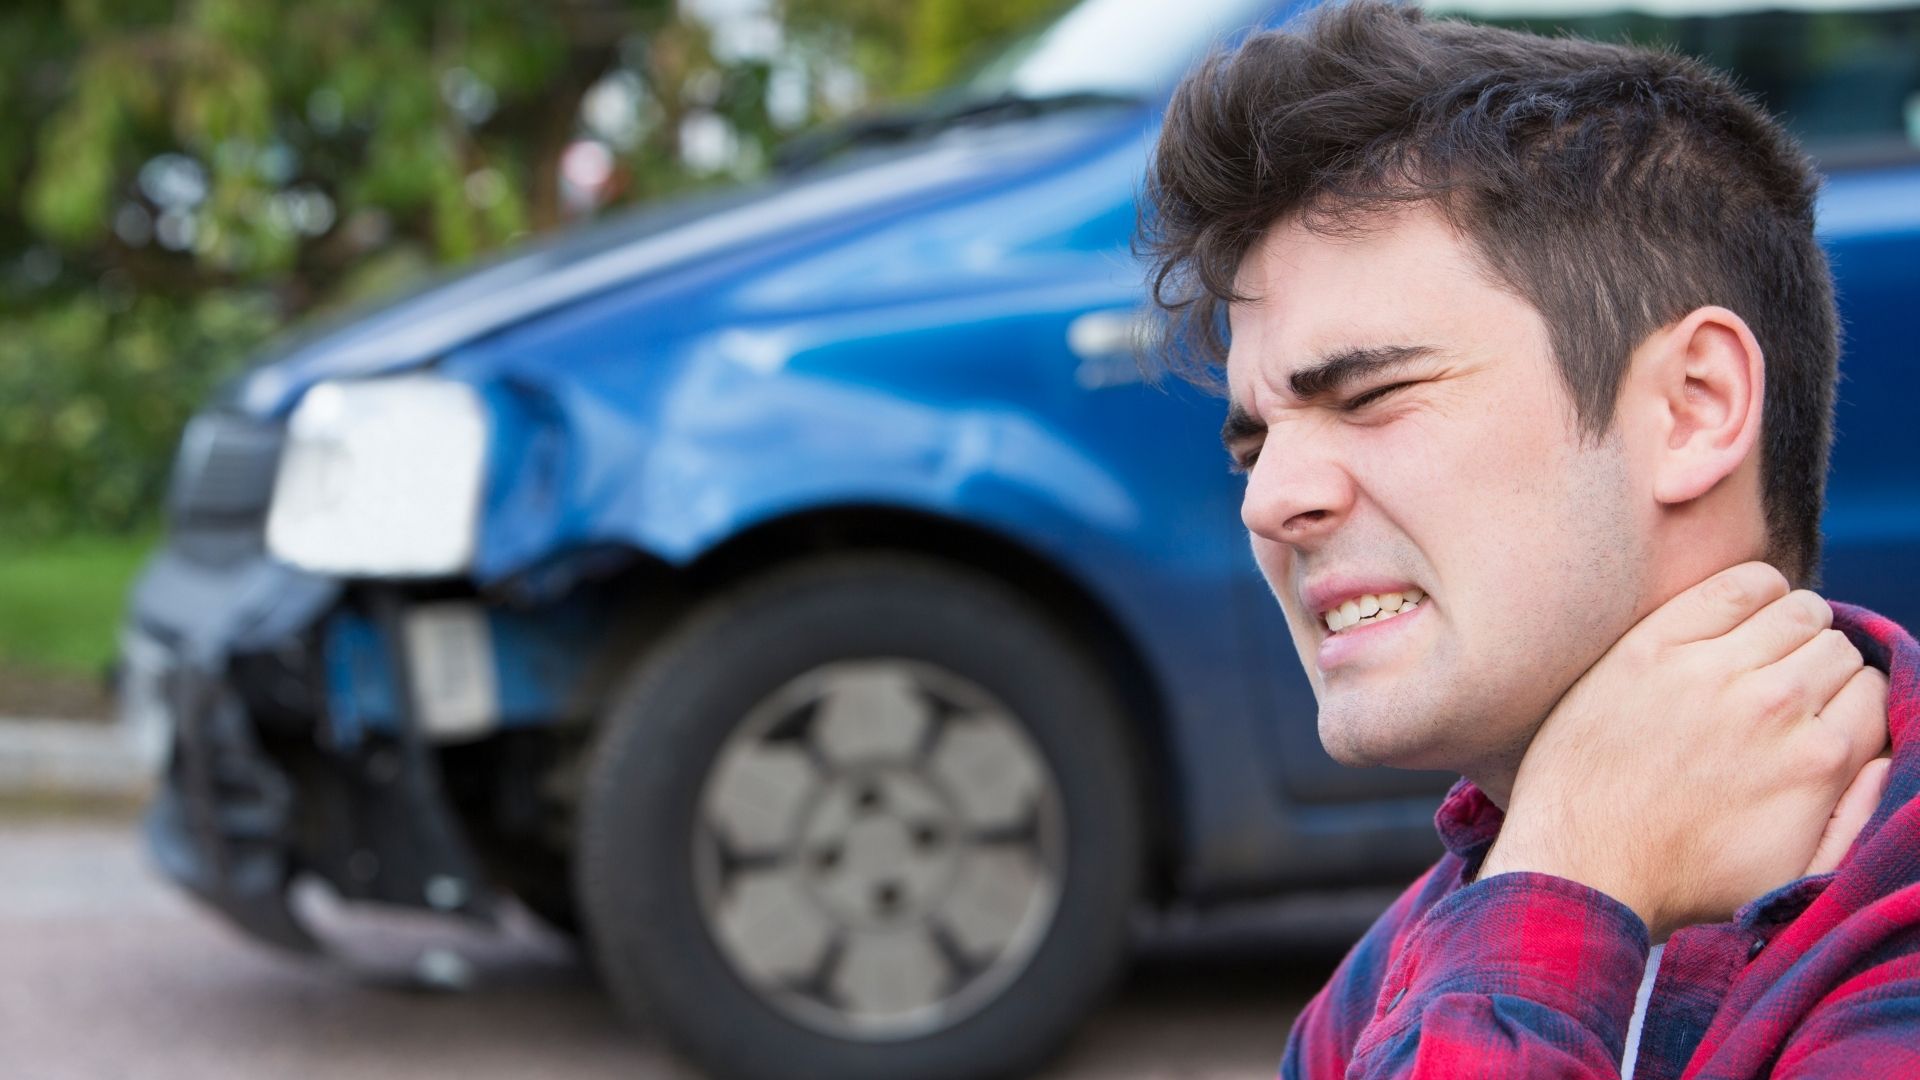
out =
column 729, row 431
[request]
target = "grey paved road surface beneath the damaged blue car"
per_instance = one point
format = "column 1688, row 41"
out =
column 110, row 975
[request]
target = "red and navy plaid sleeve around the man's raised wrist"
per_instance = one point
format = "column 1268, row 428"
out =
column 1518, row 975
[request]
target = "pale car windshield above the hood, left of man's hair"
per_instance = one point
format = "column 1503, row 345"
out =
column 1113, row 47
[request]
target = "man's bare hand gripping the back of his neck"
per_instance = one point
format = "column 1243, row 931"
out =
column 1706, row 758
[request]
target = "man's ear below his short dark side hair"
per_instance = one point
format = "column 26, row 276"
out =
column 1708, row 381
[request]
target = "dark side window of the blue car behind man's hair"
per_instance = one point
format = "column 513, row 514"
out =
column 1842, row 74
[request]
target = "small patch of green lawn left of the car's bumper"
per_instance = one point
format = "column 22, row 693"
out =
column 62, row 601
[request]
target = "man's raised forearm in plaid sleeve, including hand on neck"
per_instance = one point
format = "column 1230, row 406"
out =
column 1531, row 971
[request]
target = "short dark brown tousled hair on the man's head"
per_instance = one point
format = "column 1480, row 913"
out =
column 1614, row 189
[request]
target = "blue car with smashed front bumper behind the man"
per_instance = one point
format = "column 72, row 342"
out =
column 802, row 597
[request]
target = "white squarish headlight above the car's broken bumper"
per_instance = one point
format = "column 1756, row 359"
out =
column 381, row 479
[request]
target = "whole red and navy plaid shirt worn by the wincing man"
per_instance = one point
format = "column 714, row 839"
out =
column 1531, row 975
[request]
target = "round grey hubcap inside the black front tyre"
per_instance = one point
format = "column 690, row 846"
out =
column 880, row 848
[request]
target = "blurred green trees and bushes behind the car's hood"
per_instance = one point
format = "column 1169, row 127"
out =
column 180, row 180
